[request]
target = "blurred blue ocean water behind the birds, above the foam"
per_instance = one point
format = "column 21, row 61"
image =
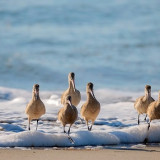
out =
column 115, row 44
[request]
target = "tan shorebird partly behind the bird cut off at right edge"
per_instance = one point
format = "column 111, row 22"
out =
column 141, row 104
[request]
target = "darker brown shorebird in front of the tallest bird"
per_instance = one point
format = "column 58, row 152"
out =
column 68, row 114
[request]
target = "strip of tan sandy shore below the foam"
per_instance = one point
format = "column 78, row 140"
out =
column 103, row 154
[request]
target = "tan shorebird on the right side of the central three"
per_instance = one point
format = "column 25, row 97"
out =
column 91, row 108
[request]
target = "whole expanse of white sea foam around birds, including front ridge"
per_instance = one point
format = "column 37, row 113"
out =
column 116, row 123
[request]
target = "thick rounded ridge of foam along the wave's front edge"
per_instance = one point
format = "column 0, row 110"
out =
column 81, row 138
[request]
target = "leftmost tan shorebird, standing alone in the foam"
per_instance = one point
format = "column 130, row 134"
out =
column 35, row 108
